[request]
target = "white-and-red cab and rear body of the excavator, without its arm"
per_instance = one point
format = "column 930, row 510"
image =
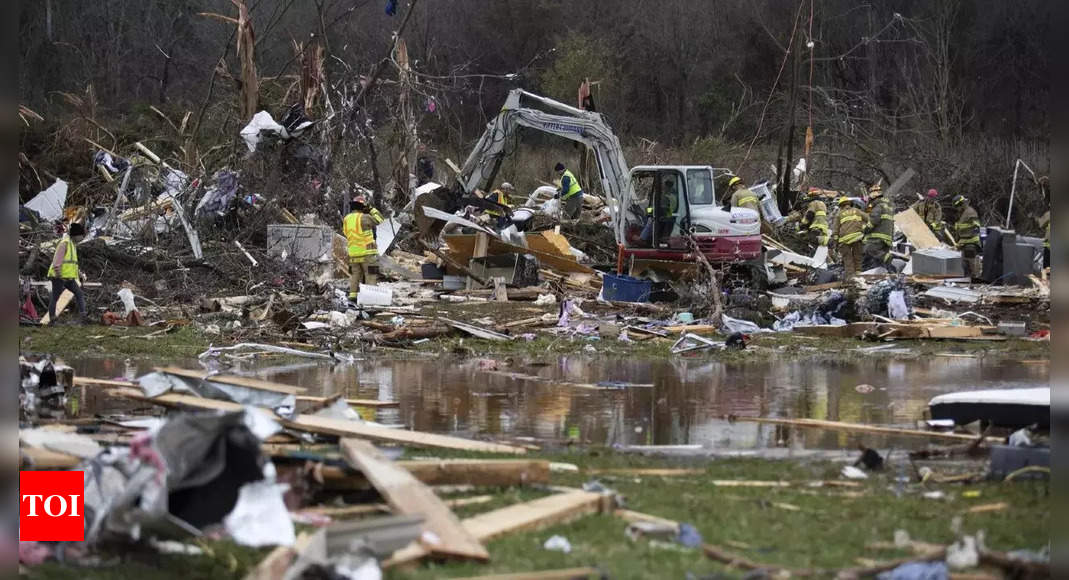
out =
column 672, row 201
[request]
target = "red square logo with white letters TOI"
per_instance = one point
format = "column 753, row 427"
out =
column 51, row 507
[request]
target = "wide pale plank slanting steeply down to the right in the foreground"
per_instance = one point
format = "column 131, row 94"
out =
column 407, row 495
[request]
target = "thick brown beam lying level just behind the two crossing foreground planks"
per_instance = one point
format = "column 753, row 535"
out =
column 477, row 473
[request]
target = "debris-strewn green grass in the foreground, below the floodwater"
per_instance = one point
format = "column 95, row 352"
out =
column 828, row 529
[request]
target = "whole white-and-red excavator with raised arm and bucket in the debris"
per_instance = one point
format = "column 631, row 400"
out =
column 660, row 214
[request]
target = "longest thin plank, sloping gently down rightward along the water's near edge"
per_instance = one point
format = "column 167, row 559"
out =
column 332, row 427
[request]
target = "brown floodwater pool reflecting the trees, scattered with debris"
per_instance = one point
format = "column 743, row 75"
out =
column 686, row 405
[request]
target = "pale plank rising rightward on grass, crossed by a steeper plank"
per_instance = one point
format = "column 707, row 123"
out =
column 536, row 514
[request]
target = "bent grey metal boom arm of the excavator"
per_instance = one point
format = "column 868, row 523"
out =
column 586, row 128
